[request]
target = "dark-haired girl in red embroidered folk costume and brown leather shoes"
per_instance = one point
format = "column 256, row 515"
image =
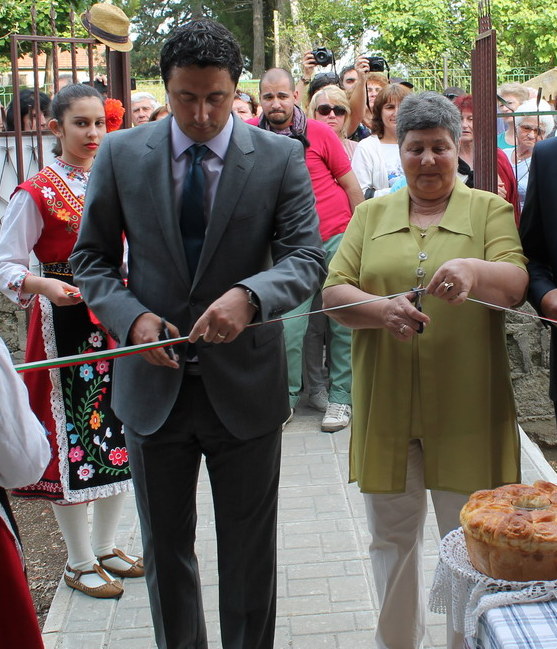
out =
column 89, row 457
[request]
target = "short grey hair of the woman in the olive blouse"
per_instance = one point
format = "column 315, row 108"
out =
column 426, row 110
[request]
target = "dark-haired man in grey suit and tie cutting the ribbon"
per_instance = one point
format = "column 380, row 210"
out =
column 257, row 256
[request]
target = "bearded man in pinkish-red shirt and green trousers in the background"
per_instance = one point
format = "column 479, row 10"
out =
column 337, row 193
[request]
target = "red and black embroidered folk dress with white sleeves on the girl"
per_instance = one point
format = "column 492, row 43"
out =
column 89, row 456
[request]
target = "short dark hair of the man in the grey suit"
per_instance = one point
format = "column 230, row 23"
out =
column 203, row 43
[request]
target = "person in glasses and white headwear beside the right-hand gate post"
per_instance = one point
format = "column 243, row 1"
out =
column 529, row 130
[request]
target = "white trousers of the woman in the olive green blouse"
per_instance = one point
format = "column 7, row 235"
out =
column 396, row 523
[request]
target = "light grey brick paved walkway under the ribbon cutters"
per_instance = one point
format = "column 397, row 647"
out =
column 325, row 590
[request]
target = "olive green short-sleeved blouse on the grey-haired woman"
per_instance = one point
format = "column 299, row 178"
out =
column 449, row 386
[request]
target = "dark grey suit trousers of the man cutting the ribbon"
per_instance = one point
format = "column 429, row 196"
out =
column 244, row 480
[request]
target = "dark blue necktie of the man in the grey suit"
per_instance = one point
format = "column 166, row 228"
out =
column 192, row 217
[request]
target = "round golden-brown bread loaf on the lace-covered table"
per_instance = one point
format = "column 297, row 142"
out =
column 511, row 531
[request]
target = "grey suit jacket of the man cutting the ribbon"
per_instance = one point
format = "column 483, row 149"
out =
column 262, row 233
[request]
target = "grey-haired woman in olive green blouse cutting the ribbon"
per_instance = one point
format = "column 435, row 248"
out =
column 431, row 410
